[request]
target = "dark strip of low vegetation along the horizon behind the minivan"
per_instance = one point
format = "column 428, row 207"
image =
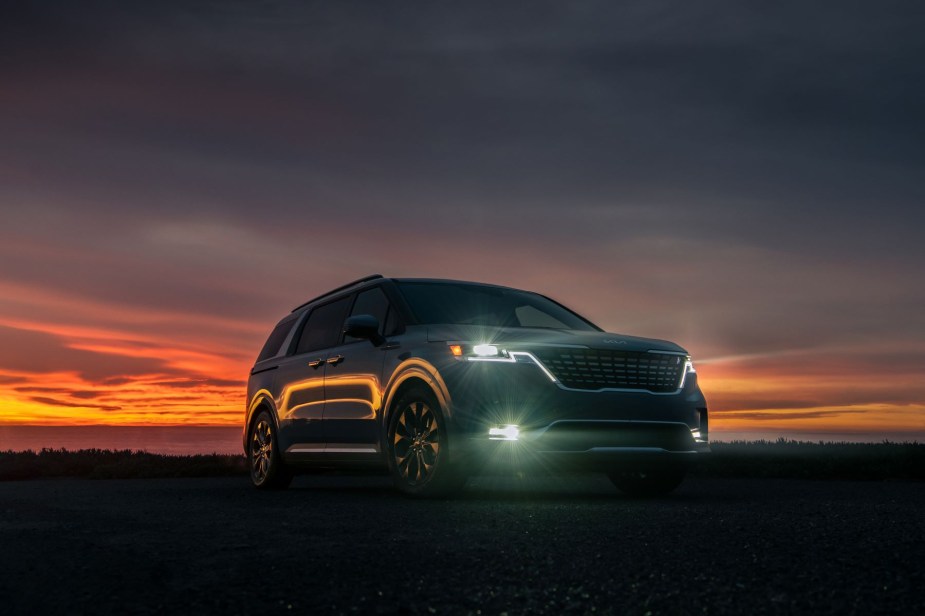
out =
column 738, row 459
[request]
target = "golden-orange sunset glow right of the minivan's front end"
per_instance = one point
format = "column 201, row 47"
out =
column 863, row 390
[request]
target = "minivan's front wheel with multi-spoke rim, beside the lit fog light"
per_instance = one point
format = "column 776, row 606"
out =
column 418, row 447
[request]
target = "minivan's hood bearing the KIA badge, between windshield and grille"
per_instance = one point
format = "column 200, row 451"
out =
column 526, row 337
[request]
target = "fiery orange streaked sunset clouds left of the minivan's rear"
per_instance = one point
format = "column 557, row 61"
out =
column 108, row 364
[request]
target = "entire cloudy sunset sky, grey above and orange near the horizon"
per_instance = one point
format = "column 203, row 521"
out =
column 745, row 179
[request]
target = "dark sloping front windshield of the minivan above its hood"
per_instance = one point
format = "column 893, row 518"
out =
column 472, row 304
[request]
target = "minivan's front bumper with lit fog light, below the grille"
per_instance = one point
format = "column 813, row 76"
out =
column 560, row 427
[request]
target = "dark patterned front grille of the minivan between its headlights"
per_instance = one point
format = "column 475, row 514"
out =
column 599, row 369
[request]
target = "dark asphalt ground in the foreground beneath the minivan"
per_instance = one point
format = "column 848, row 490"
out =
column 567, row 544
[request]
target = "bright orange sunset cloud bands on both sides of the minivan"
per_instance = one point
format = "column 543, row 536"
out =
column 99, row 363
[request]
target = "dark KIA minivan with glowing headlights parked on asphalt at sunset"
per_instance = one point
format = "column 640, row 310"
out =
column 437, row 380
